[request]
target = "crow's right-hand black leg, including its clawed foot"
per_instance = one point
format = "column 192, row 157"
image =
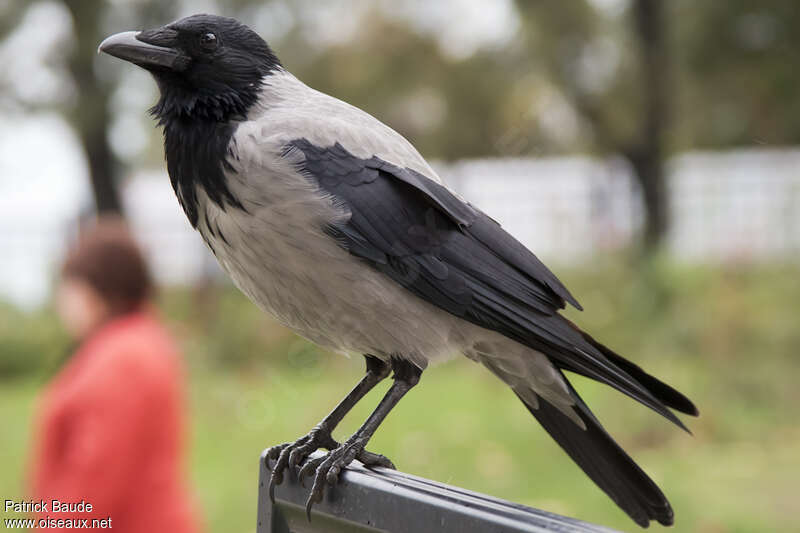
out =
column 327, row 468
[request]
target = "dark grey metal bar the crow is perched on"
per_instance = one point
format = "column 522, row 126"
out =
column 386, row 500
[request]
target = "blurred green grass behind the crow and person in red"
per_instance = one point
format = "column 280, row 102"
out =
column 728, row 338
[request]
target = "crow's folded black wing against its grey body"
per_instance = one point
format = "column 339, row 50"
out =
column 451, row 254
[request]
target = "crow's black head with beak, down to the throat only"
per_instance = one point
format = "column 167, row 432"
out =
column 207, row 67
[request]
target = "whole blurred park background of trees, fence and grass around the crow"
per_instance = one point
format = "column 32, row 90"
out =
column 649, row 151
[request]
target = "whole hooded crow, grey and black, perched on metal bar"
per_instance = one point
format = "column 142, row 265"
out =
column 334, row 224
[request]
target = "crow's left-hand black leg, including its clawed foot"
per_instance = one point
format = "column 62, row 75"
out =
column 292, row 453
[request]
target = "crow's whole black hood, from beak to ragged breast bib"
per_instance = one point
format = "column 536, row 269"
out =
column 210, row 70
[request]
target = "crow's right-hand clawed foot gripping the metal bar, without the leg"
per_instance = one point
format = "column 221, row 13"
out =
column 327, row 467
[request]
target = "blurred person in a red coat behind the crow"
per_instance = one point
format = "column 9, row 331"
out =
column 110, row 426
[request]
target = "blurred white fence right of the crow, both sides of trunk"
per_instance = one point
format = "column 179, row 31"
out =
column 742, row 205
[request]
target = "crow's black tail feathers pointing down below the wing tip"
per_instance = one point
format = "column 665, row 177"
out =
column 605, row 462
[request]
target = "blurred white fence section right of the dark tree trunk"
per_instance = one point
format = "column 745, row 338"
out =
column 742, row 205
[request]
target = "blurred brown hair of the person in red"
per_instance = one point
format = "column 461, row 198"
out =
column 107, row 258
